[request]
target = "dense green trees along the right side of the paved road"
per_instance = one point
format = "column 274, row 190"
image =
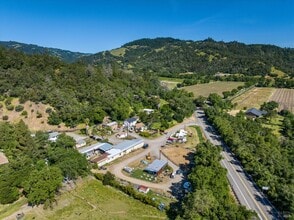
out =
column 266, row 157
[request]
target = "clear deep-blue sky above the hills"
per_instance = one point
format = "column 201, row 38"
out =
column 93, row 26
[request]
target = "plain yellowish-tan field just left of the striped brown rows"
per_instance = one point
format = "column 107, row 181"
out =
column 254, row 97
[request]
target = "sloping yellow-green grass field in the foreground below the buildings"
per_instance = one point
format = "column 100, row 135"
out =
column 91, row 200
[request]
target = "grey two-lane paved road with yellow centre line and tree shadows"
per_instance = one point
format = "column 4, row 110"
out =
column 244, row 188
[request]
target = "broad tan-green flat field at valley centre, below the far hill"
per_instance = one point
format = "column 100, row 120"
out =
column 213, row 87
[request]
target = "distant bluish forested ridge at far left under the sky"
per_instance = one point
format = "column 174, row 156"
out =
column 64, row 55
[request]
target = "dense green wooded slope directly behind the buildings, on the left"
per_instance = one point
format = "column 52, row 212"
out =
column 80, row 92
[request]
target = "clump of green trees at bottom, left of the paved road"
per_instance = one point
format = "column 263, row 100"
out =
column 210, row 197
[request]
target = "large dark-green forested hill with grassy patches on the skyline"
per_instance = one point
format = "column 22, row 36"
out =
column 171, row 57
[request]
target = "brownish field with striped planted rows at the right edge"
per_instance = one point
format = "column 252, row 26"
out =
column 285, row 98
